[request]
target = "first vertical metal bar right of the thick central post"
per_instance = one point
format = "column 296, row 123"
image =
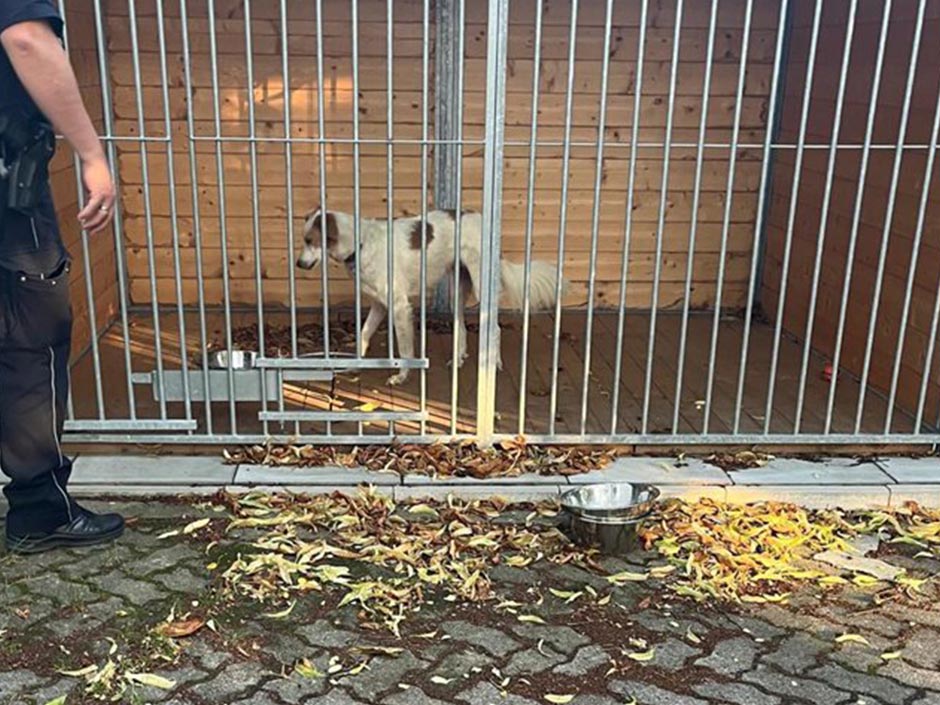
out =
column 530, row 213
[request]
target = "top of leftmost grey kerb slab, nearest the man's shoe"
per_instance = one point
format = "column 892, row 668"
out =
column 146, row 470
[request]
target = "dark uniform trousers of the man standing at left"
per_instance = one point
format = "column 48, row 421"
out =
column 35, row 340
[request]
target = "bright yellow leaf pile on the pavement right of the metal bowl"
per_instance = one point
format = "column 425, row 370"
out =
column 762, row 552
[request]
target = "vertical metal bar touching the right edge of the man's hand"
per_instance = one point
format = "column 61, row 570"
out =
column 107, row 113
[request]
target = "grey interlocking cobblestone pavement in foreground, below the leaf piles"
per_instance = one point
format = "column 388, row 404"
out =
column 66, row 611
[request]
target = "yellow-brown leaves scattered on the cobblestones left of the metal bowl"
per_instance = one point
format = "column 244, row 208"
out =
column 319, row 543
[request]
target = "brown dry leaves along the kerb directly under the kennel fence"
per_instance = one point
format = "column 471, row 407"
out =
column 507, row 459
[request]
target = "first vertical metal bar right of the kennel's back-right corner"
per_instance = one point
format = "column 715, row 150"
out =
column 791, row 217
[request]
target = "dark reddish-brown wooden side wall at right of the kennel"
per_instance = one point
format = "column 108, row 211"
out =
column 838, row 228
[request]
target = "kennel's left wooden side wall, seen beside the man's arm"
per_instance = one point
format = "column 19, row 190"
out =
column 80, row 19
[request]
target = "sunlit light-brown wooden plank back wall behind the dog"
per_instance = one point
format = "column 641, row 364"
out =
column 268, row 95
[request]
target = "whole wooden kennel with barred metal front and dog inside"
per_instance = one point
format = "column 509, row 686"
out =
column 675, row 222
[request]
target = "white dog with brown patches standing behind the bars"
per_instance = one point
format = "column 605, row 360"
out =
column 372, row 262
